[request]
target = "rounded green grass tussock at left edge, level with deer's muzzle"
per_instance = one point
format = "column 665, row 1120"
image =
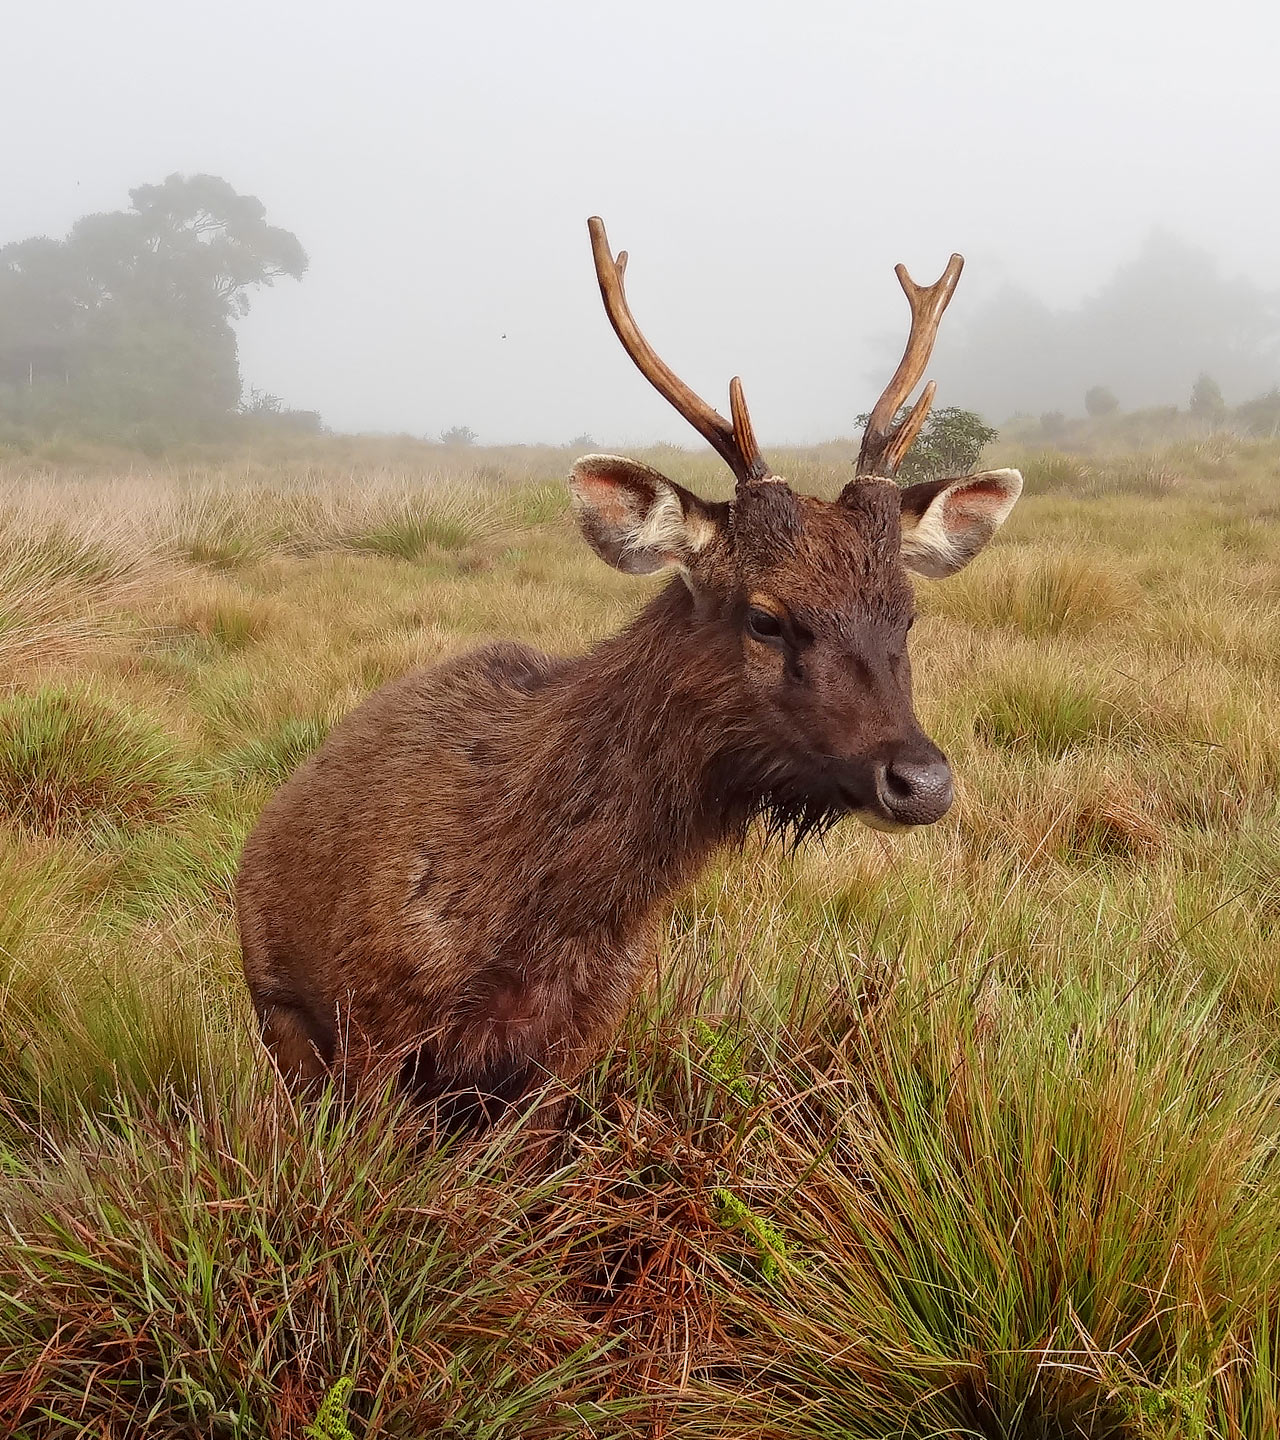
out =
column 71, row 758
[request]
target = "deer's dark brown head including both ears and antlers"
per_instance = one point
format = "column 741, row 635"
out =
column 806, row 604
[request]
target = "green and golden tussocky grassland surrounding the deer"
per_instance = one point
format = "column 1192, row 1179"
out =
column 967, row 1134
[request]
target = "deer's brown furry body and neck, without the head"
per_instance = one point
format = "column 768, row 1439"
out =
column 486, row 889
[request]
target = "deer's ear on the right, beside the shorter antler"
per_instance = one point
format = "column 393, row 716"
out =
column 948, row 522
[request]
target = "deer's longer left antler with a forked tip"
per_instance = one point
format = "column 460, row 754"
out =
column 734, row 441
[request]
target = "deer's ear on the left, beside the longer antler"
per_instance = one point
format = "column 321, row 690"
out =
column 636, row 519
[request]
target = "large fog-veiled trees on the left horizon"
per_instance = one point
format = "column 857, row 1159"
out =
column 123, row 330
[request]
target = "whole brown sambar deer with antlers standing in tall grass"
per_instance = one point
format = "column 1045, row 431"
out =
column 467, row 879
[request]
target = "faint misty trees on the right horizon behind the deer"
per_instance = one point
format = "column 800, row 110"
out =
column 1161, row 322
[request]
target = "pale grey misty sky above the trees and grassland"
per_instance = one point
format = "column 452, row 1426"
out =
column 765, row 165
